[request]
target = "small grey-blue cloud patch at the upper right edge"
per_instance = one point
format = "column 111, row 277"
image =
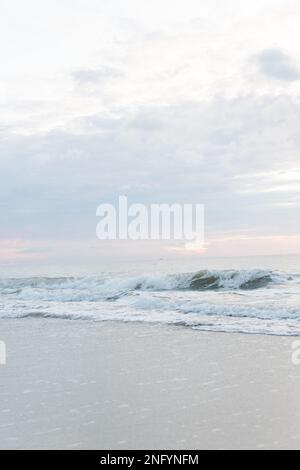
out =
column 276, row 64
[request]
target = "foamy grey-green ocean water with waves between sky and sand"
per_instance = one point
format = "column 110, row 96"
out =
column 258, row 295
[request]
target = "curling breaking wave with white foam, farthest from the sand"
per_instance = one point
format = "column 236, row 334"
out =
column 97, row 286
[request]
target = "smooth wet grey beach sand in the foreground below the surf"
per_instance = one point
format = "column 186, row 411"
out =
column 87, row 385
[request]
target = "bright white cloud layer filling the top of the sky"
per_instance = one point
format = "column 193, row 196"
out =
column 117, row 63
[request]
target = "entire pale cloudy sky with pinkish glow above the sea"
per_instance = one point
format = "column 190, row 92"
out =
column 166, row 102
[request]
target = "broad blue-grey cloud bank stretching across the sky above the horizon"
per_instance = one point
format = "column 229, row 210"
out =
column 231, row 155
